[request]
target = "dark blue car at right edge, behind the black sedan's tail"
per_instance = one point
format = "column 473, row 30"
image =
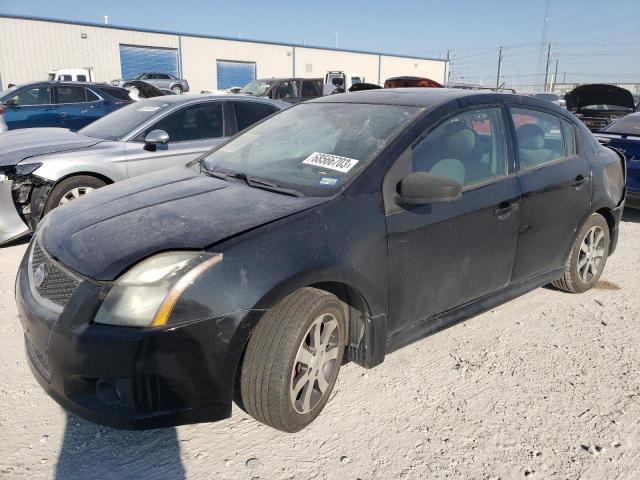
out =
column 624, row 135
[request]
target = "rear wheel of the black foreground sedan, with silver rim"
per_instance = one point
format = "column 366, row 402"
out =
column 587, row 258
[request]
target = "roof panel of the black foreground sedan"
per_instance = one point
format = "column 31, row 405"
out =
column 427, row 97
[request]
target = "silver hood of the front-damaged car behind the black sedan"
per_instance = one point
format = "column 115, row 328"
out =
column 17, row 145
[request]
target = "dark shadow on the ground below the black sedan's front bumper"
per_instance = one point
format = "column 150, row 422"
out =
column 91, row 451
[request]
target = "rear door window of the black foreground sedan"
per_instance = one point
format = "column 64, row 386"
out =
column 539, row 136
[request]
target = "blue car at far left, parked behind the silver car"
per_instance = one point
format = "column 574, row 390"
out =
column 71, row 105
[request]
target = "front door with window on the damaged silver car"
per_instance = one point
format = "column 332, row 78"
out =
column 192, row 130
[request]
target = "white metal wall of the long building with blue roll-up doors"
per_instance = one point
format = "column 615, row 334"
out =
column 29, row 48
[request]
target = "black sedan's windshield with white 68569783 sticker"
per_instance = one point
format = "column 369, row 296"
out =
column 314, row 148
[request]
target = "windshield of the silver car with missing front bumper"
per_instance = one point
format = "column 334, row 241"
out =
column 120, row 123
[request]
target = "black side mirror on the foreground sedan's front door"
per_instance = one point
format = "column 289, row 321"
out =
column 420, row 188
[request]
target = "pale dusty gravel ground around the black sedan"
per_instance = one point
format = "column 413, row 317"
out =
column 546, row 386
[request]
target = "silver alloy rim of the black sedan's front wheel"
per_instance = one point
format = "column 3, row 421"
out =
column 315, row 363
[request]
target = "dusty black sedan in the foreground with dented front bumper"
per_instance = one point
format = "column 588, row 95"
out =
column 339, row 230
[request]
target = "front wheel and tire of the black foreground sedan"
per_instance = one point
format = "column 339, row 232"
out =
column 293, row 358
